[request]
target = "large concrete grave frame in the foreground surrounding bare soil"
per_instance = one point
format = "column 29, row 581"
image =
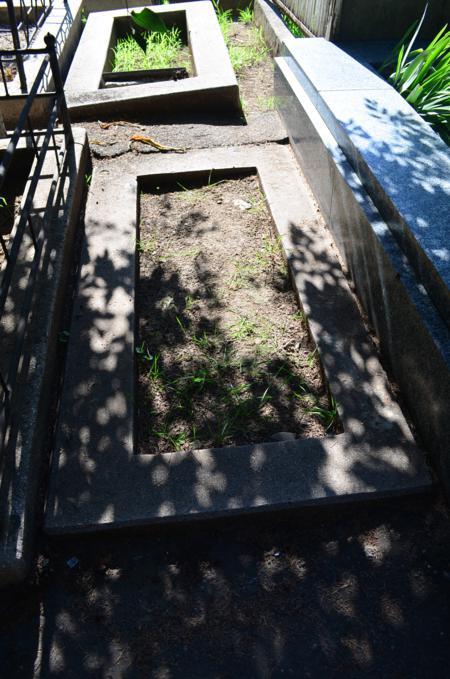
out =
column 97, row 481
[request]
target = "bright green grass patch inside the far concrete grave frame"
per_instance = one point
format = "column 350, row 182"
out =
column 162, row 51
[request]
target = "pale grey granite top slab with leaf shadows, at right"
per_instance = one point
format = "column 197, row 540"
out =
column 403, row 165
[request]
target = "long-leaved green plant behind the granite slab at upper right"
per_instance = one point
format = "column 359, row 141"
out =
column 422, row 76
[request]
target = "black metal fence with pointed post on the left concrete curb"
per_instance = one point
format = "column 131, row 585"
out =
column 40, row 142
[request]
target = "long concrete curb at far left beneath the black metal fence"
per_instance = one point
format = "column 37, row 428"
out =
column 23, row 456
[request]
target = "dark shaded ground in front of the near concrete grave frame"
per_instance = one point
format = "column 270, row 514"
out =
column 312, row 595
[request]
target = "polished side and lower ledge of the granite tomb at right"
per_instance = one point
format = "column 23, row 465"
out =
column 414, row 340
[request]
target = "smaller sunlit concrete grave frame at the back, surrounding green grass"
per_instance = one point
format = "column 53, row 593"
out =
column 213, row 87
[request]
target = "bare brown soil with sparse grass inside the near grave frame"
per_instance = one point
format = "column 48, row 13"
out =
column 223, row 350
